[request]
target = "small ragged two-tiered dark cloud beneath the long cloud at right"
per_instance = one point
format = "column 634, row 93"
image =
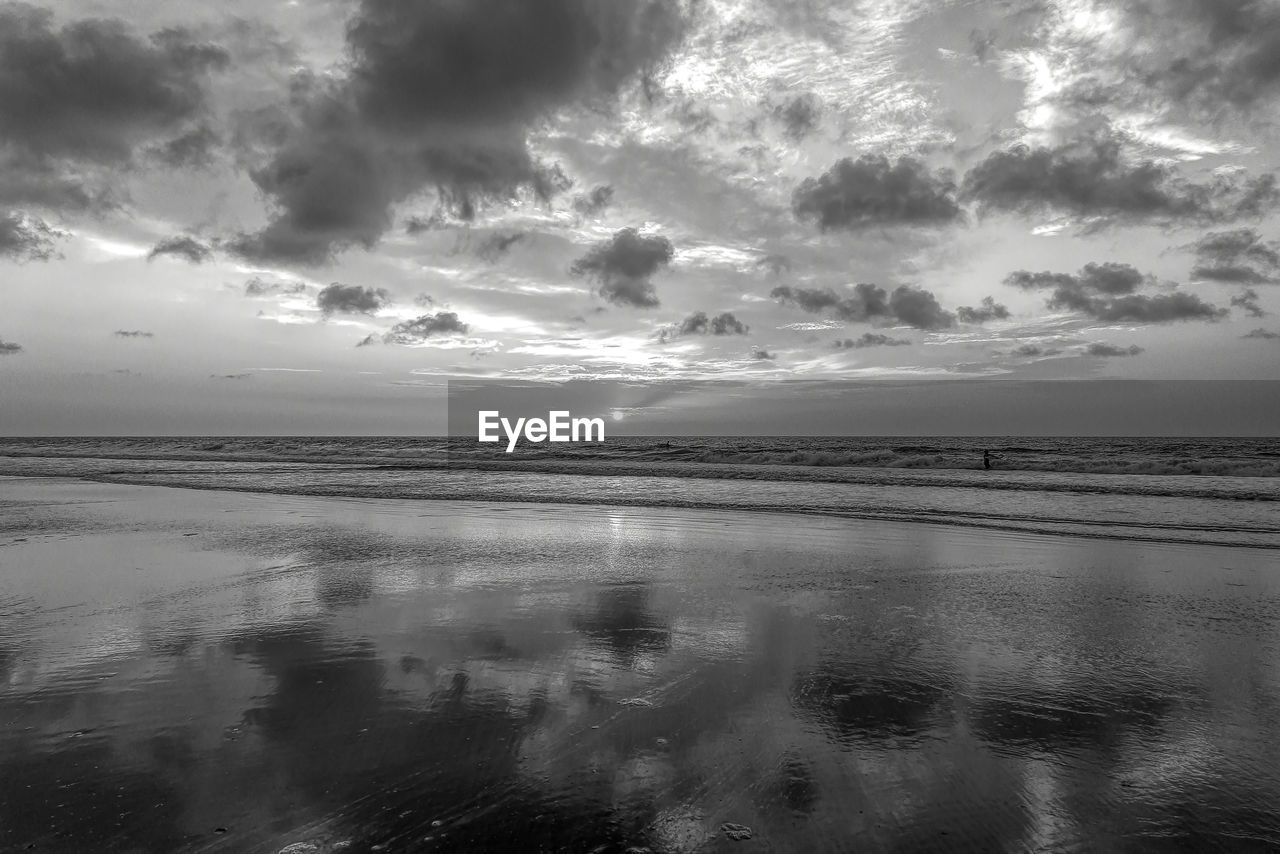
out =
column 1108, row 293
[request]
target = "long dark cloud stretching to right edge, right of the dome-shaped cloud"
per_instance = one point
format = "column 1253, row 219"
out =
column 1092, row 179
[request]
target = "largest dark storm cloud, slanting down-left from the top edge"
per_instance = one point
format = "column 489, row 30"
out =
column 441, row 95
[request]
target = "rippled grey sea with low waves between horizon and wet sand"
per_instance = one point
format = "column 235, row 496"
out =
column 1215, row 491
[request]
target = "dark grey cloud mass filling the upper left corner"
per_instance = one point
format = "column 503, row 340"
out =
column 80, row 101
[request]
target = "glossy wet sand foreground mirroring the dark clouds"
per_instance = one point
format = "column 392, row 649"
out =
column 196, row 672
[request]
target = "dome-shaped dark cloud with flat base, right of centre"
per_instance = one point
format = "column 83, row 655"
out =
column 871, row 191
